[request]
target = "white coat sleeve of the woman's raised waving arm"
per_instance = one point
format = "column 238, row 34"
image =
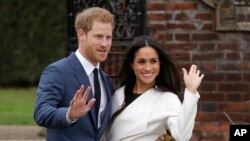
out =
column 181, row 123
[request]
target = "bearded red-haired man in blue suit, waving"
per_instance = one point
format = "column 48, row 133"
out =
column 66, row 99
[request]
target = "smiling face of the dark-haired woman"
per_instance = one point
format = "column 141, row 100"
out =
column 146, row 66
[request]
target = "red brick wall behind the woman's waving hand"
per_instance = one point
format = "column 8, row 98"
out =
column 187, row 31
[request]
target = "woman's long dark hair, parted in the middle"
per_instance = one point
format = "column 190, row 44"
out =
column 168, row 78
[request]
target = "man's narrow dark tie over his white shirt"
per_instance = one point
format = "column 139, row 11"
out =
column 97, row 92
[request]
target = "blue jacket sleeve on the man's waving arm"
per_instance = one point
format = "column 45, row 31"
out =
column 49, row 95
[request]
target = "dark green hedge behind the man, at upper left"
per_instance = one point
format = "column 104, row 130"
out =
column 33, row 34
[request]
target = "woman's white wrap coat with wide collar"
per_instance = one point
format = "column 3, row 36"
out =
column 148, row 117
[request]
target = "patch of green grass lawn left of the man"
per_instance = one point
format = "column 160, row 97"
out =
column 16, row 106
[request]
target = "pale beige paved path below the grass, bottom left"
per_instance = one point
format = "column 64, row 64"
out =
column 21, row 133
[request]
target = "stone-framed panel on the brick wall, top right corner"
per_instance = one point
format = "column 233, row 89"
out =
column 231, row 15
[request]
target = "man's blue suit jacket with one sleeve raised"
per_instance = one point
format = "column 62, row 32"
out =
column 58, row 84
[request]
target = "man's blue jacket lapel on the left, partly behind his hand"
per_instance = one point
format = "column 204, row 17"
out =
column 83, row 79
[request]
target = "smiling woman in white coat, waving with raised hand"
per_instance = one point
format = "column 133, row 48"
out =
column 146, row 103
